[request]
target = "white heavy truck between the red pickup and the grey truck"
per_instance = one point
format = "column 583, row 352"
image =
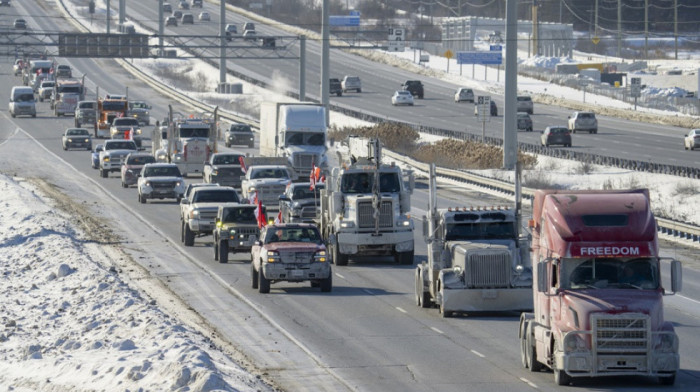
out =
column 365, row 207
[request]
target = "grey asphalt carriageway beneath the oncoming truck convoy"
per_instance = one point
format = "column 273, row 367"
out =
column 366, row 335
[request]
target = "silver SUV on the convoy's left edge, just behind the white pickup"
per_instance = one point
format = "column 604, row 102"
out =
column 160, row 181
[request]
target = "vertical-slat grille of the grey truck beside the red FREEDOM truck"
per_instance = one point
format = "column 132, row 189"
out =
column 488, row 269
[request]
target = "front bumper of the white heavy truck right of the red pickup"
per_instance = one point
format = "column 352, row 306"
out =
column 369, row 244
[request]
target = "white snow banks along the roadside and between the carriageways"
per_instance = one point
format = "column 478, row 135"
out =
column 70, row 322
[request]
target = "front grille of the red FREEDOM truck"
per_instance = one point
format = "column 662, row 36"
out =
column 623, row 333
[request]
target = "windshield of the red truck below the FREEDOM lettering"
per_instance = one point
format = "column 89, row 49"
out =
column 601, row 273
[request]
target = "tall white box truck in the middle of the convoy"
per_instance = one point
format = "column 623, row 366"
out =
column 296, row 131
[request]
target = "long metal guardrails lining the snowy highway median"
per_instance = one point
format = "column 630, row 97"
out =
column 673, row 228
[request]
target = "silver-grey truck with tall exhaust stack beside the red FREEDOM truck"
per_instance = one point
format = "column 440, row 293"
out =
column 477, row 259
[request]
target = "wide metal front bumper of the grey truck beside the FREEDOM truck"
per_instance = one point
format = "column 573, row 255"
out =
column 486, row 300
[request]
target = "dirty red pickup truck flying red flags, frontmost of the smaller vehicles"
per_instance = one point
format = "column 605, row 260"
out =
column 292, row 252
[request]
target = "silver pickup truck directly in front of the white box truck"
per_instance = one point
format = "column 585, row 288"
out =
column 265, row 178
